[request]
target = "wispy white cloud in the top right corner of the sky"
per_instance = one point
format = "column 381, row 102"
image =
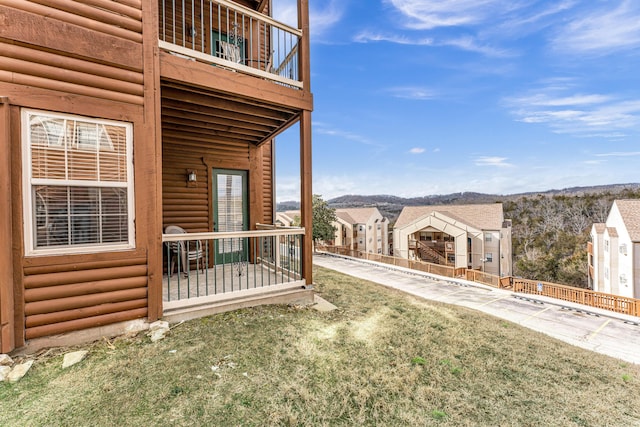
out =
column 602, row 31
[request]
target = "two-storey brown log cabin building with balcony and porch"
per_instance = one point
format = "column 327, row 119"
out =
column 137, row 150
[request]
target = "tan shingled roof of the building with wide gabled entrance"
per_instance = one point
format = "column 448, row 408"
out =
column 480, row 216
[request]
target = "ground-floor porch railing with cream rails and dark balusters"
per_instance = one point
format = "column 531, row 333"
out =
column 198, row 265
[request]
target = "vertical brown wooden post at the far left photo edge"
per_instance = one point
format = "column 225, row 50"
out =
column 7, row 331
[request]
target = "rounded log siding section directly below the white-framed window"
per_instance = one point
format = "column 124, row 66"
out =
column 64, row 297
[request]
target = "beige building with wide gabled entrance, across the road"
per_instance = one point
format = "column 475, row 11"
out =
column 462, row 236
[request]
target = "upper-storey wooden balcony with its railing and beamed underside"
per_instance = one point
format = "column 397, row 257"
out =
column 230, row 71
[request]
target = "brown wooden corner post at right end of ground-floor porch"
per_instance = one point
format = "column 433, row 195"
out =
column 306, row 196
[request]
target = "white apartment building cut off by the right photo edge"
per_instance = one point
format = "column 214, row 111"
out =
column 614, row 251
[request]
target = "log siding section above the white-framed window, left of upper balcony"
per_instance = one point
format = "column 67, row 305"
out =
column 100, row 55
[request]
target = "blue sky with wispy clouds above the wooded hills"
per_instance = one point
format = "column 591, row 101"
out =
column 423, row 97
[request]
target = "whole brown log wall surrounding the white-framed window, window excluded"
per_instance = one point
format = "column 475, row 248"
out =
column 94, row 69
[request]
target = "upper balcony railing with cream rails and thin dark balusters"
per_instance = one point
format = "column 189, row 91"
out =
column 229, row 35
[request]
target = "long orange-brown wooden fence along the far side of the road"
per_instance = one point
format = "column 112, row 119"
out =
column 616, row 303
